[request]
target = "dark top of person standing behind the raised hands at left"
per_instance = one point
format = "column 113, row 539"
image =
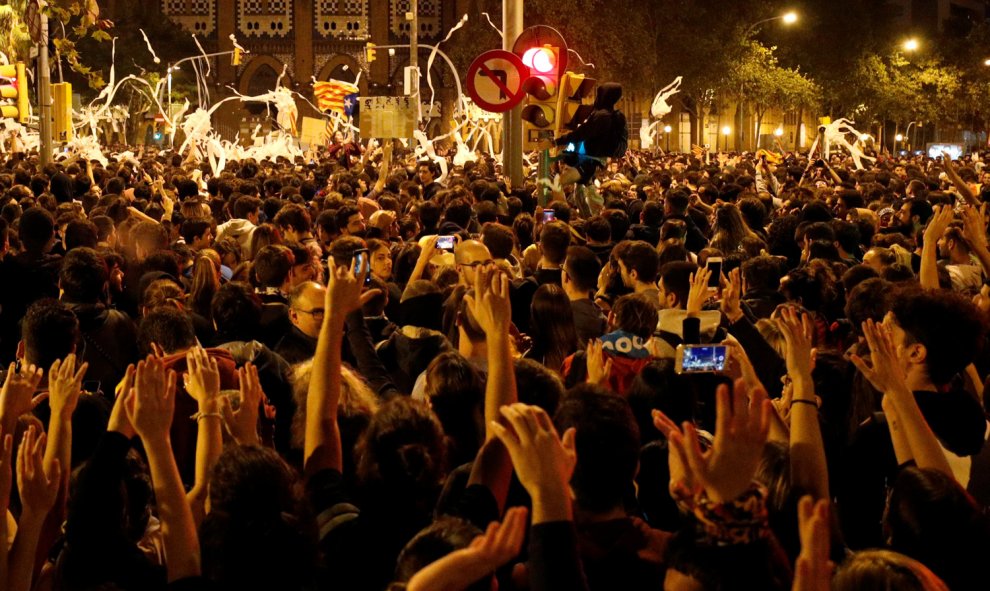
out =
column 109, row 344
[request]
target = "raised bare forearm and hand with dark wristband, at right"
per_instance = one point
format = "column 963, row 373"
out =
column 808, row 466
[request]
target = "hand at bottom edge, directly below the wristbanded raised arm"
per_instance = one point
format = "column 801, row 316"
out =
column 813, row 571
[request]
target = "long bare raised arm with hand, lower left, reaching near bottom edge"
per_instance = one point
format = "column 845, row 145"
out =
column 150, row 407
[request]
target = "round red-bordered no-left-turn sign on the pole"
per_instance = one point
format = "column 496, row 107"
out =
column 495, row 80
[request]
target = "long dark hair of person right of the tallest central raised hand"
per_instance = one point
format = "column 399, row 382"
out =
column 552, row 326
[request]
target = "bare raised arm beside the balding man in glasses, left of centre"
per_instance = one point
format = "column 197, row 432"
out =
column 323, row 447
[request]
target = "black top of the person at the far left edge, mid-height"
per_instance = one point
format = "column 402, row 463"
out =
column 25, row 278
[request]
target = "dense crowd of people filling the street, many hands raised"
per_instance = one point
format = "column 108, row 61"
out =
column 354, row 372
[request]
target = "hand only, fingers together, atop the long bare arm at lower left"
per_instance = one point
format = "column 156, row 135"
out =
column 151, row 403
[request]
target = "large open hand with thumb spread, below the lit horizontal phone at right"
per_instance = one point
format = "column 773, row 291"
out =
column 742, row 425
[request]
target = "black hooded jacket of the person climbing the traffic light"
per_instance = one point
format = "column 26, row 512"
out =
column 604, row 132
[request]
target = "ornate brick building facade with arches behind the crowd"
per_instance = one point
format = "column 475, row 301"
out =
column 307, row 40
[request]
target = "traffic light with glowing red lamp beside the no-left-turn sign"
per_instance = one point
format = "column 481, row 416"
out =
column 540, row 111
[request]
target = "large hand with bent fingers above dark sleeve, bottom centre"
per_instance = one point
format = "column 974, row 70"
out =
column 543, row 461
